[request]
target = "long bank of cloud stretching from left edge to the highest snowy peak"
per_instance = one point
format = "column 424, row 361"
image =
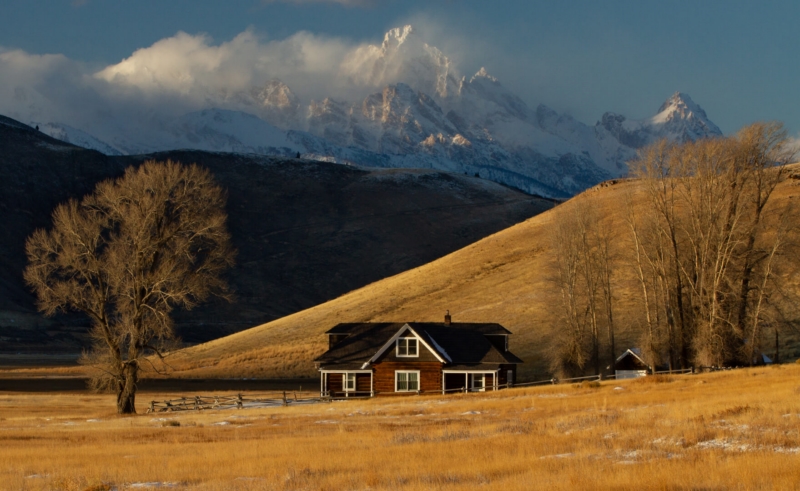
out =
column 188, row 72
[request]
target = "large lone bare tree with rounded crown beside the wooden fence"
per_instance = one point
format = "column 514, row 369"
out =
column 128, row 254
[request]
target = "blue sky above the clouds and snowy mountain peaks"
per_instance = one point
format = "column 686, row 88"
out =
column 736, row 59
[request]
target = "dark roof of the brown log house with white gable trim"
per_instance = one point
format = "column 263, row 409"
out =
column 457, row 343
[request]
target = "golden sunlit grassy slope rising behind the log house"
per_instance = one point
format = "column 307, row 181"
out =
column 503, row 278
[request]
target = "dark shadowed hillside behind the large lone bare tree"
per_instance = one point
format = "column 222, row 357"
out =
column 306, row 231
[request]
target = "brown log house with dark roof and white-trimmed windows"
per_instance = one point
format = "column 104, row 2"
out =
column 367, row 359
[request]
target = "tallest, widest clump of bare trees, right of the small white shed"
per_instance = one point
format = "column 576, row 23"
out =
column 712, row 199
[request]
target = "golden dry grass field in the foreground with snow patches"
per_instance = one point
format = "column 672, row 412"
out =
column 724, row 430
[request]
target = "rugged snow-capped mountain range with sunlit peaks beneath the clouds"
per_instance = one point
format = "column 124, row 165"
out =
column 421, row 113
